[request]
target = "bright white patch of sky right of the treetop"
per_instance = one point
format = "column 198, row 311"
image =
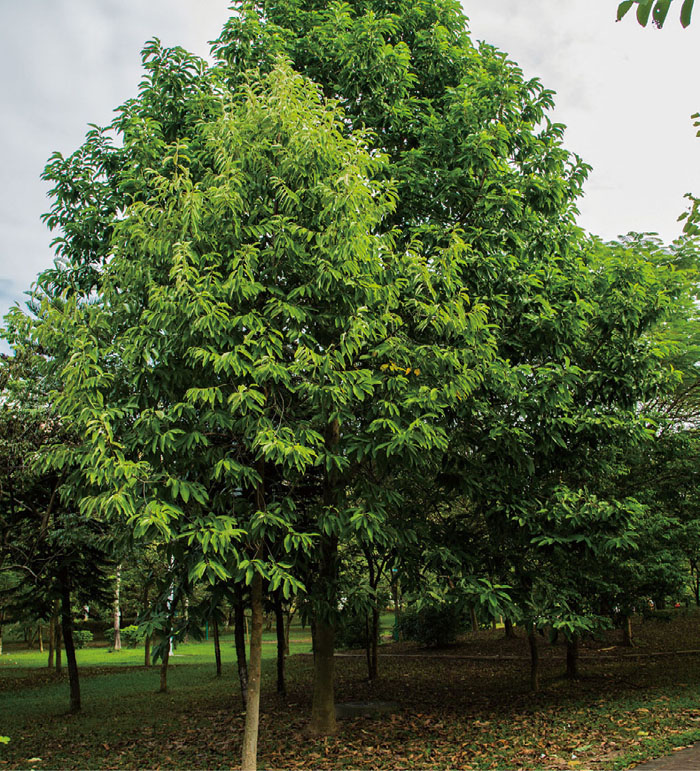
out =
column 625, row 93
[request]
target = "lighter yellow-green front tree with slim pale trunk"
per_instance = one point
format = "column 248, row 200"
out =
column 255, row 338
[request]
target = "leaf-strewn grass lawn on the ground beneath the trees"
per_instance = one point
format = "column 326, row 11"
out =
column 464, row 707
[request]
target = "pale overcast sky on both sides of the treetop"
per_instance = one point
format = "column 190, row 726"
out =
column 625, row 93
